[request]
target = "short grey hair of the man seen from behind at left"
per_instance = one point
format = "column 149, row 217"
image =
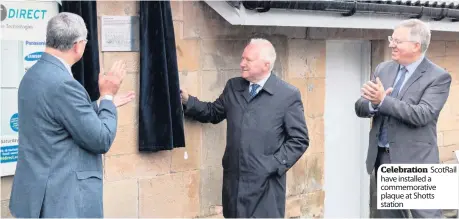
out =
column 64, row 30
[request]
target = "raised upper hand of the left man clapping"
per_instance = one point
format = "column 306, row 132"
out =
column 109, row 83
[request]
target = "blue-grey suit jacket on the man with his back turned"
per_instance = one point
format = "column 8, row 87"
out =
column 61, row 138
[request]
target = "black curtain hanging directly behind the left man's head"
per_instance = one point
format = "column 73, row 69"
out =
column 86, row 71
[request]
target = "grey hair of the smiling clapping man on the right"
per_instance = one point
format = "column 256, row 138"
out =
column 419, row 32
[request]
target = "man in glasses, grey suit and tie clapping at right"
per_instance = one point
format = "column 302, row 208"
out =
column 404, row 126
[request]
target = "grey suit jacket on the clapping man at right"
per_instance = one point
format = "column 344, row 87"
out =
column 412, row 115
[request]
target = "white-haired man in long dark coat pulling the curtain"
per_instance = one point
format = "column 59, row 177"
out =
column 266, row 134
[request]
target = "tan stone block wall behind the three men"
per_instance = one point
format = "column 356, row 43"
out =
column 164, row 184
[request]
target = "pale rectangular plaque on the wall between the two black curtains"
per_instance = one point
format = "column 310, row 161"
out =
column 120, row 33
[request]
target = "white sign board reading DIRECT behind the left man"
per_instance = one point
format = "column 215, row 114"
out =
column 23, row 38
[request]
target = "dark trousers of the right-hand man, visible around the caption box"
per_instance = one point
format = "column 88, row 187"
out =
column 384, row 158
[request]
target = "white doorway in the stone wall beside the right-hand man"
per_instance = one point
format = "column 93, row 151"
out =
column 347, row 184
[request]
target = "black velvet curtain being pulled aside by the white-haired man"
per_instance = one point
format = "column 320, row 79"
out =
column 160, row 109
